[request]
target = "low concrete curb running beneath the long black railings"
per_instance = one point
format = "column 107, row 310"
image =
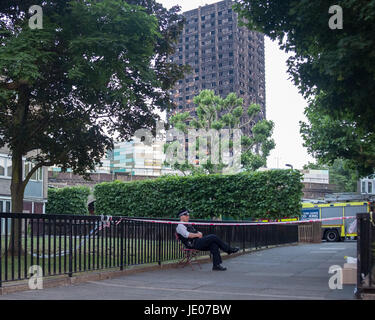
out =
column 65, row 280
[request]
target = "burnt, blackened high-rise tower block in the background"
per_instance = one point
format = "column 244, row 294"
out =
column 223, row 57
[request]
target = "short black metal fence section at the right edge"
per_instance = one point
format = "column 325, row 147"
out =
column 365, row 253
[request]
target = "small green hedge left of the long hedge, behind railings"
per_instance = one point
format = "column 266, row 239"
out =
column 69, row 200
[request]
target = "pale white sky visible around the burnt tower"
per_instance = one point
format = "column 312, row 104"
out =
column 284, row 104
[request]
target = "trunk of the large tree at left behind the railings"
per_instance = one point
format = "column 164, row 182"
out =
column 17, row 192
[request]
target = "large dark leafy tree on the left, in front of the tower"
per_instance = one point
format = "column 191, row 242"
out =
column 95, row 68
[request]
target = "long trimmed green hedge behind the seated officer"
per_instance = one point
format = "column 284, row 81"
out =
column 268, row 194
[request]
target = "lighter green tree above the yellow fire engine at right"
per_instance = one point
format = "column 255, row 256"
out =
column 328, row 139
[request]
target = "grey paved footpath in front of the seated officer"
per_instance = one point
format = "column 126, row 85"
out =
column 290, row 272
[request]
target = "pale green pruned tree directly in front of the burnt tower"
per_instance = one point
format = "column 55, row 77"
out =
column 216, row 113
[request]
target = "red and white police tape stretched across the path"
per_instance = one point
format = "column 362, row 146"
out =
column 242, row 223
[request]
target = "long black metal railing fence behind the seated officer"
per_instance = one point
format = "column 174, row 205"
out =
column 66, row 244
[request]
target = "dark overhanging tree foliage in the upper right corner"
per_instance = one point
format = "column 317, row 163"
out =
column 338, row 64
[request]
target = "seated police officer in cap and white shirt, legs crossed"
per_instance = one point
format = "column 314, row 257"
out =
column 193, row 239
